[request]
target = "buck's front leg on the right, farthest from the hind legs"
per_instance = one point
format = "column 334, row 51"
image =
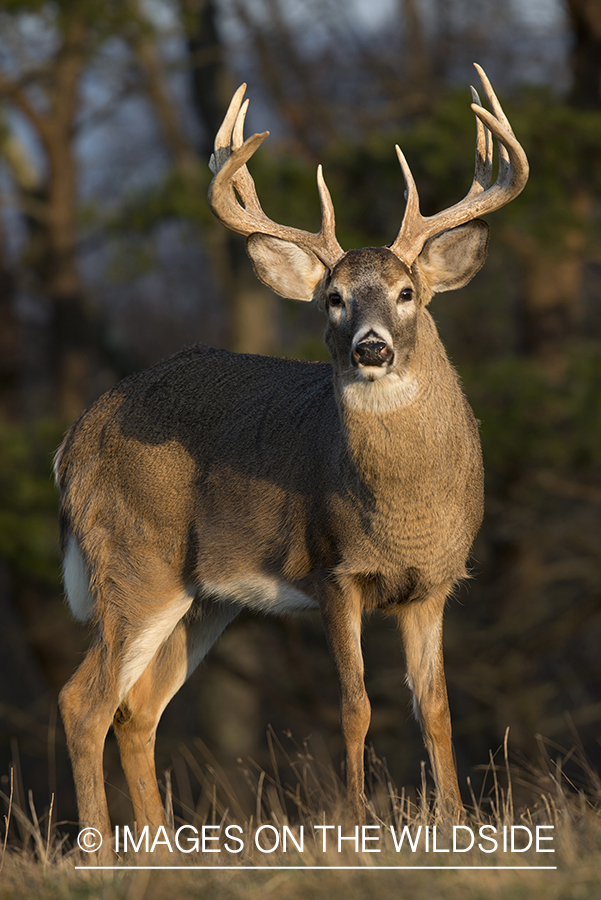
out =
column 420, row 624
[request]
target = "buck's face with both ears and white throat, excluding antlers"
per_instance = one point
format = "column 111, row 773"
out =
column 373, row 303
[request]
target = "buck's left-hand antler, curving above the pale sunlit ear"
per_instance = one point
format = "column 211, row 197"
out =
column 233, row 197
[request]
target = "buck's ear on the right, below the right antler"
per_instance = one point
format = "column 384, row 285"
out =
column 450, row 259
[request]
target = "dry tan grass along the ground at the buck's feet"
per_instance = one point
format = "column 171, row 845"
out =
column 302, row 789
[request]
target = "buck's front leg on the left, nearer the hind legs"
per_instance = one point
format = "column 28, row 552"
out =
column 341, row 614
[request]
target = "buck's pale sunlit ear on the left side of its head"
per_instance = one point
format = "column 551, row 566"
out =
column 289, row 270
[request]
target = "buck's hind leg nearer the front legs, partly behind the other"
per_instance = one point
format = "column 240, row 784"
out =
column 139, row 713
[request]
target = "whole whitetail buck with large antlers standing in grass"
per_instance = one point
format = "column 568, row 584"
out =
column 215, row 482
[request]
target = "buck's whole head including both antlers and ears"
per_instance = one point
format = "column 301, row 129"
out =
column 372, row 297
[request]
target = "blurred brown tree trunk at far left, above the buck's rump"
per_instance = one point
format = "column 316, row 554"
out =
column 46, row 91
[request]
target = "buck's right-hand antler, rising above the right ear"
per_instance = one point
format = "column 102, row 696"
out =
column 481, row 198
